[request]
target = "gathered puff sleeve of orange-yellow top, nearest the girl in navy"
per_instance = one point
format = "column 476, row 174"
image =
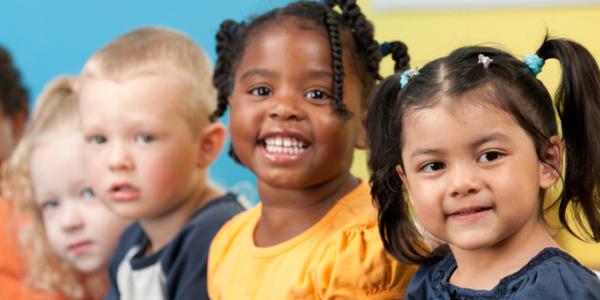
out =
column 355, row 260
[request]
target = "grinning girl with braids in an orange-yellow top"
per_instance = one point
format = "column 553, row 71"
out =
column 298, row 80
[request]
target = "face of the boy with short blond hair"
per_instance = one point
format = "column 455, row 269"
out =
column 141, row 152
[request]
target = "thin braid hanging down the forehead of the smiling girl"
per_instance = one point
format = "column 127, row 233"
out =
column 337, row 63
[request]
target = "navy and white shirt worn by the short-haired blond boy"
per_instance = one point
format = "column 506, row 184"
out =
column 180, row 265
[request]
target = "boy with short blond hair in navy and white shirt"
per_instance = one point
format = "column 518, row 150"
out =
column 145, row 104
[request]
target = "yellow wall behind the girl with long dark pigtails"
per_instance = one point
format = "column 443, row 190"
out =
column 431, row 34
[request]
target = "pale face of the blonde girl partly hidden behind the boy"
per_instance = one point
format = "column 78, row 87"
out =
column 80, row 229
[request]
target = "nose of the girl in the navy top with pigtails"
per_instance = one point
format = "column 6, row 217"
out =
column 465, row 181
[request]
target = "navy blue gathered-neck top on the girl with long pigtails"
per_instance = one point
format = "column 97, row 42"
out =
column 551, row 274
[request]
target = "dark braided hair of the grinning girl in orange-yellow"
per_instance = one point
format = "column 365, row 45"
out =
column 233, row 37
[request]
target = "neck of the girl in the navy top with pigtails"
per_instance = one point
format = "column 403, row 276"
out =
column 482, row 269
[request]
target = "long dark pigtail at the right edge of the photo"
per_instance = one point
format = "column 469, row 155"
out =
column 578, row 105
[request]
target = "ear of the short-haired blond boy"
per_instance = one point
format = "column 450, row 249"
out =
column 212, row 139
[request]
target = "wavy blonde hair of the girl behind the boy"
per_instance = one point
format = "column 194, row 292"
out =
column 56, row 110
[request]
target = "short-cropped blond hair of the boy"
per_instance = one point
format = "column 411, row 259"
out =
column 157, row 50
